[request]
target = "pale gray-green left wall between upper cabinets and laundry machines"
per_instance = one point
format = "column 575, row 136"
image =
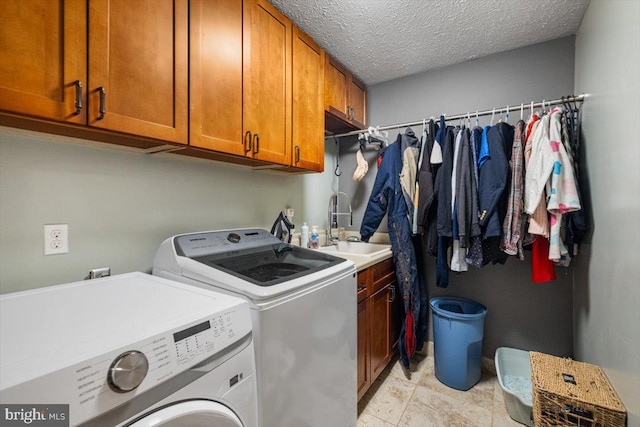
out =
column 120, row 205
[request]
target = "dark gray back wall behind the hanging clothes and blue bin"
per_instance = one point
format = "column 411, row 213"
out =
column 521, row 314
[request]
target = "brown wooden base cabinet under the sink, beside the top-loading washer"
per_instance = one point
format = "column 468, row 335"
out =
column 378, row 322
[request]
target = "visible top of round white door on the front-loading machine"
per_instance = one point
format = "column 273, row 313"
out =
column 192, row 413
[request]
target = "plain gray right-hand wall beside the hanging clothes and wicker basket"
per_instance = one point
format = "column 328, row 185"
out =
column 606, row 290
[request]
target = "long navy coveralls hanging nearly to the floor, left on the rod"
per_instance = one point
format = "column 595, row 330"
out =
column 387, row 198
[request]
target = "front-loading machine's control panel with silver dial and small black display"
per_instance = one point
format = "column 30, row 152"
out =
column 101, row 383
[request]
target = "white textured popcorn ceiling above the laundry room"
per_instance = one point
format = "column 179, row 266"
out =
column 380, row 40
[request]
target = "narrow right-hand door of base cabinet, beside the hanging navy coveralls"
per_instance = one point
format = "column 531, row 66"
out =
column 379, row 330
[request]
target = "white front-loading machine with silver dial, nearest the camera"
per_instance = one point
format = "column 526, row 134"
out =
column 127, row 350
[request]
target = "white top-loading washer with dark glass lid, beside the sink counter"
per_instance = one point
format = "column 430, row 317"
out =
column 304, row 311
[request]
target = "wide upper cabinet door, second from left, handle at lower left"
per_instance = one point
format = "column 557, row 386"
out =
column 138, row 54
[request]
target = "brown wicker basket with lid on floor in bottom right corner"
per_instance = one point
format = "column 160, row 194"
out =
column 570, row 393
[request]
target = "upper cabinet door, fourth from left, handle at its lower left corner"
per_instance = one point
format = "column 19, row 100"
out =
column 267, row 82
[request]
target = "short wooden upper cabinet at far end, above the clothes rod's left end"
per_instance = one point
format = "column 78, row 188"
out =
column 345, row 98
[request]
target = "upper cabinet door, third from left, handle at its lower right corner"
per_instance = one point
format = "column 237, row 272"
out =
column 215, row 62
